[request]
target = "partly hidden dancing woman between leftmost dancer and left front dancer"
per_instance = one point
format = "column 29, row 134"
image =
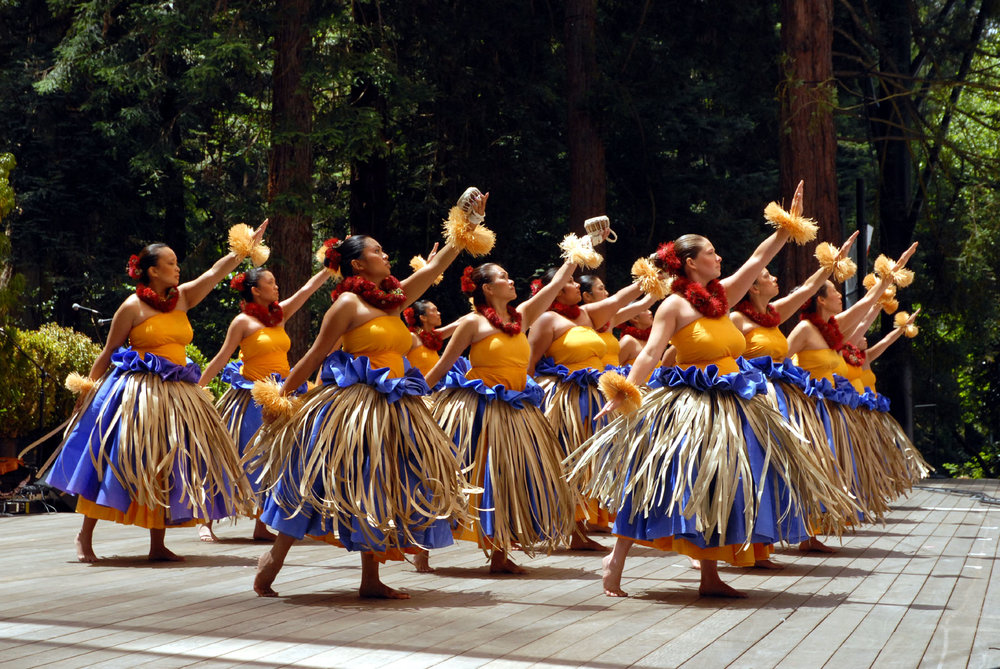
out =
column 259, row 332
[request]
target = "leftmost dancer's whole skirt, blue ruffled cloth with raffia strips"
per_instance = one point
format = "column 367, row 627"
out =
column 148, row 448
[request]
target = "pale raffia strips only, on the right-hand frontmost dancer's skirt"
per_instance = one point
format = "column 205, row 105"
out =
column 702, row 435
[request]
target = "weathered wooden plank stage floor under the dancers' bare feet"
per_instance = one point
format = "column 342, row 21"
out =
column 921, row 591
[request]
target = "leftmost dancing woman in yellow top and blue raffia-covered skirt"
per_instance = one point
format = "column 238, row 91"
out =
column 146, row 447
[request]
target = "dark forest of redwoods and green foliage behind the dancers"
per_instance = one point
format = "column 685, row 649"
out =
column 123, row 123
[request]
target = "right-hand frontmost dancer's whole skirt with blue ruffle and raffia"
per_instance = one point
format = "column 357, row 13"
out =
column 700, row 466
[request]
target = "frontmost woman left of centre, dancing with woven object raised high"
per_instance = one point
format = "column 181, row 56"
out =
column 362, row 458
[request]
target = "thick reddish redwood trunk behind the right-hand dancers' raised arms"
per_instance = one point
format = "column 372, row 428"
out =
column 808, row 144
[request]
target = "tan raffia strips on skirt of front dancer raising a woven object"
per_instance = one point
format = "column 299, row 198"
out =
column 365, row 452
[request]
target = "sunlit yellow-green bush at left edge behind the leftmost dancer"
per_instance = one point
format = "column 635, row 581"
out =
column 59, row 351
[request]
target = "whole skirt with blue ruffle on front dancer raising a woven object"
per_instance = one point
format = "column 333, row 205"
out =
column 362, row 459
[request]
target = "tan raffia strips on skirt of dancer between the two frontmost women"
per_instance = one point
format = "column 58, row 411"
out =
column 523, row 456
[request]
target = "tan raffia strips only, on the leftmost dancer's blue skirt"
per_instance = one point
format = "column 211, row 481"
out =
column 161, row 423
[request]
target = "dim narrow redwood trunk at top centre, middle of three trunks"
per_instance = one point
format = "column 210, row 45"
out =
column 588, row 180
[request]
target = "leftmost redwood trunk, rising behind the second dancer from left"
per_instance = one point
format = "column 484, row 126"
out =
column 289, row 183
